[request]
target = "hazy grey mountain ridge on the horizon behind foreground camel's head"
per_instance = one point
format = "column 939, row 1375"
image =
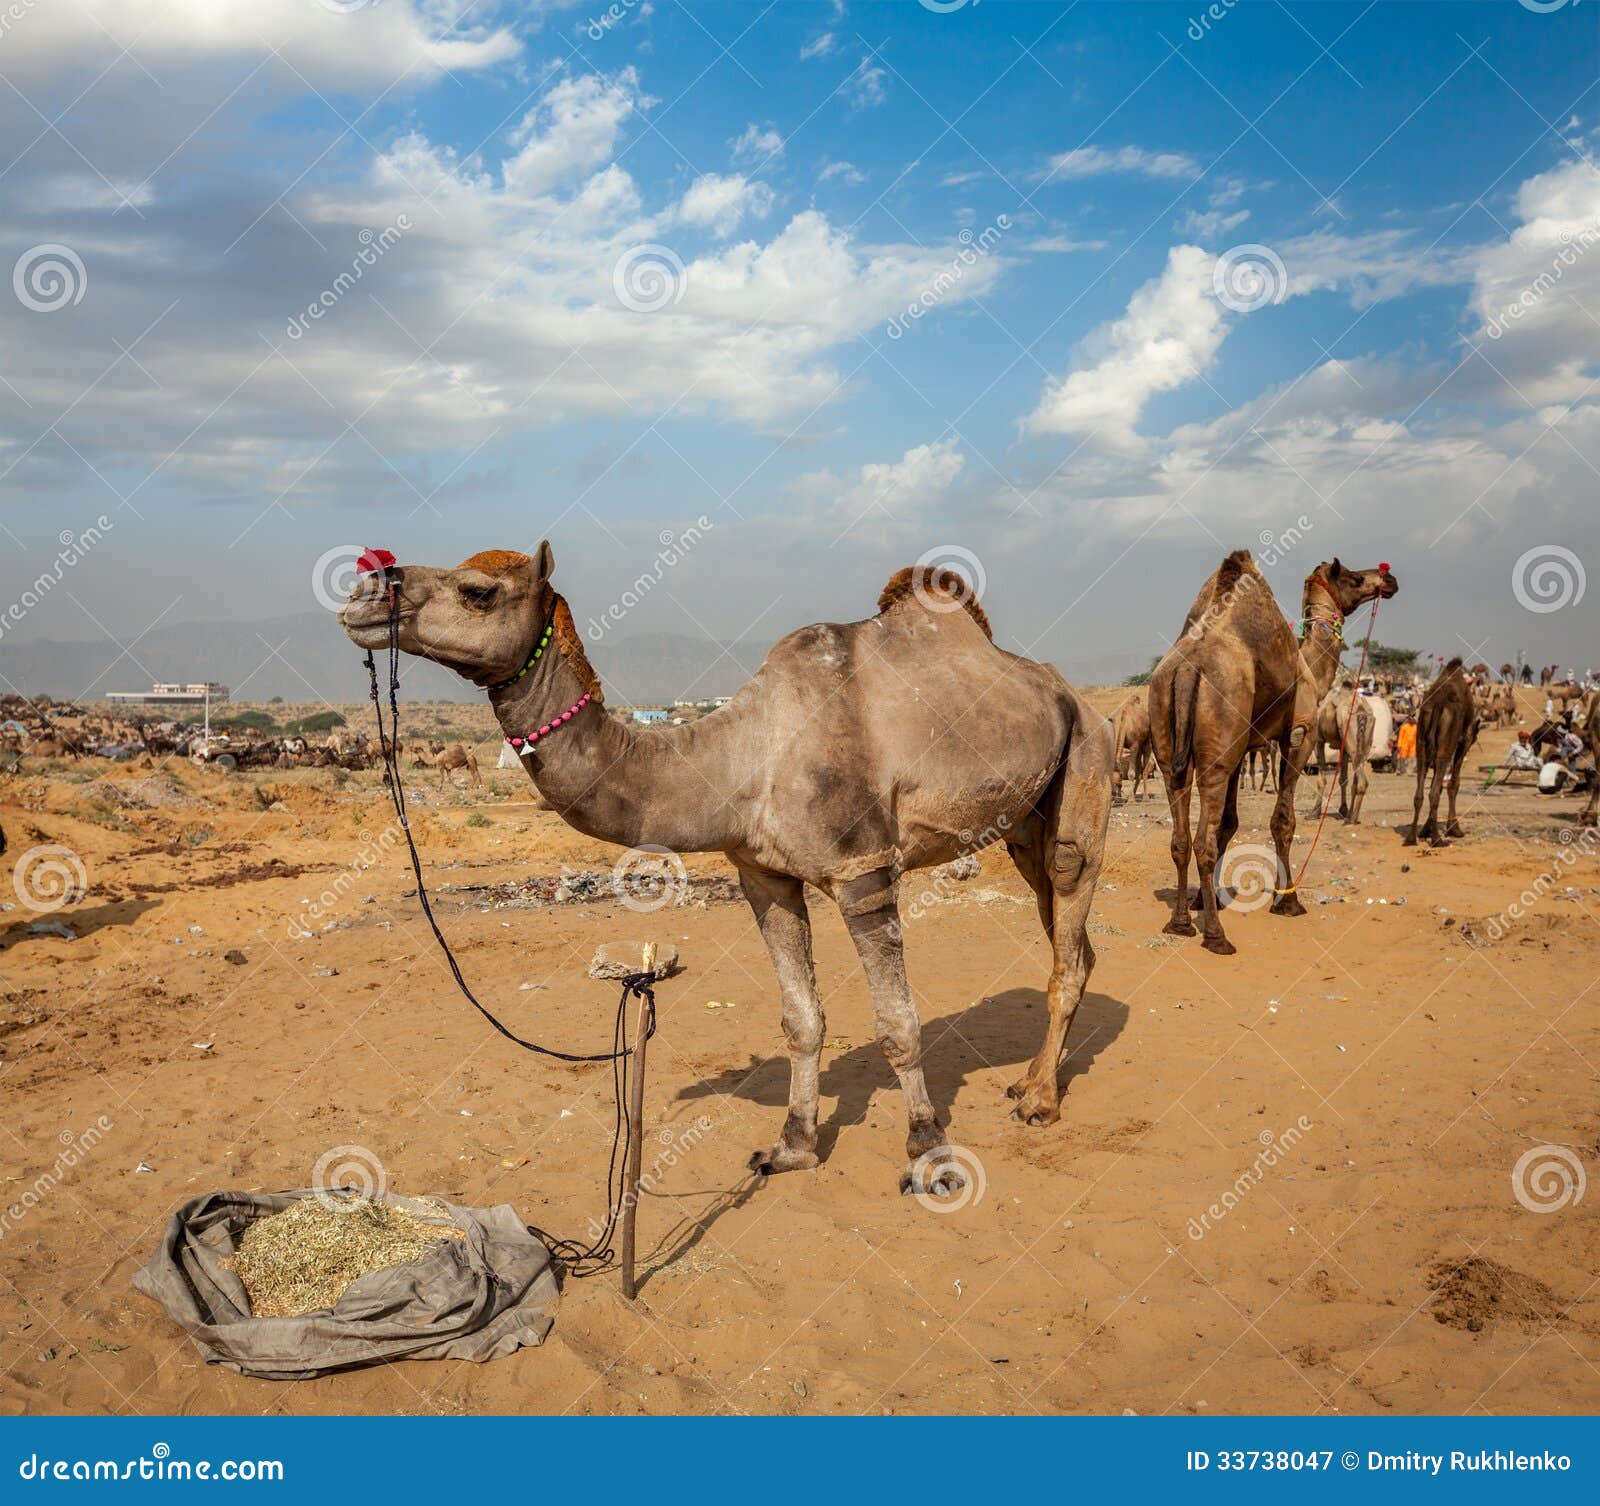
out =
column 308, row 659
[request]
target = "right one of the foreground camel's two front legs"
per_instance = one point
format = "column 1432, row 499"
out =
column 873, row 919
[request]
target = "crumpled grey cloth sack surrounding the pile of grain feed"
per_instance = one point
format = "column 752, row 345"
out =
column 471, row 1299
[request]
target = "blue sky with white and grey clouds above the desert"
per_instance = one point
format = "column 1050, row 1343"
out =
column 1185, row 276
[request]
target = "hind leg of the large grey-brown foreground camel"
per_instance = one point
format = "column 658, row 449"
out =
column 1065, row 867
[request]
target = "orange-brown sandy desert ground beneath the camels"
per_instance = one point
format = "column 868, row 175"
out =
column 1385, row 1063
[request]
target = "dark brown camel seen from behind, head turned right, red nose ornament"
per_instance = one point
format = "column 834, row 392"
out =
column 1234, row 681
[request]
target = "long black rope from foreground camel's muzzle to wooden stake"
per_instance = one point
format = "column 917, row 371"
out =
column 582, row 1260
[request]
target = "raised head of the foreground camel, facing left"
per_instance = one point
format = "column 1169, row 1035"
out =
column 481, row 619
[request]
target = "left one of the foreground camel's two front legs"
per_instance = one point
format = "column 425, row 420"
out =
column 782, row 916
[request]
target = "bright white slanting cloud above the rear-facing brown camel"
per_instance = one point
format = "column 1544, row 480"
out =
column 1169, row 335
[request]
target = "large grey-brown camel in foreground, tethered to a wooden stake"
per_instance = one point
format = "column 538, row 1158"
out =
column 858, row 753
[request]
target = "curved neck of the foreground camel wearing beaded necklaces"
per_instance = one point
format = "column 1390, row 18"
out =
column 609, row 779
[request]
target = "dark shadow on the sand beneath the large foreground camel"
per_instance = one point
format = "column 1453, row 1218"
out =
column 998, row 1031
